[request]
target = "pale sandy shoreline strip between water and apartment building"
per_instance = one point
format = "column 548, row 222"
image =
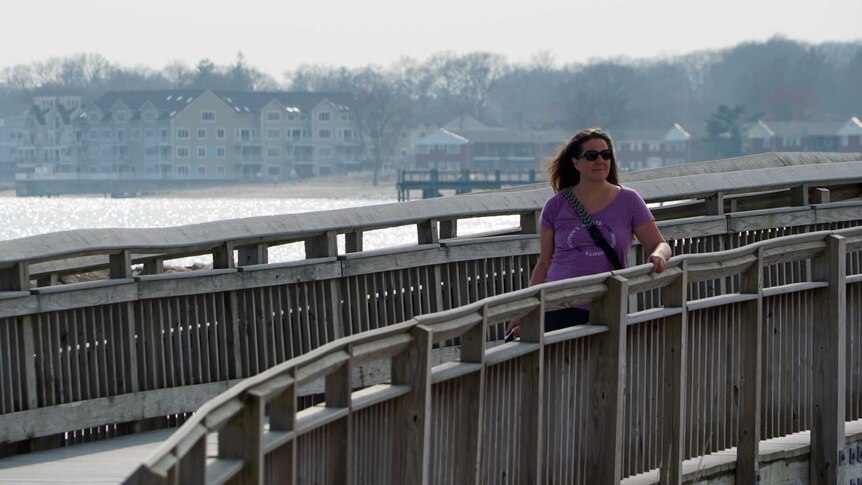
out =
column 355, row 186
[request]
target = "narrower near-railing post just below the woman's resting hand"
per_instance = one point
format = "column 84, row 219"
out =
column 673, row 416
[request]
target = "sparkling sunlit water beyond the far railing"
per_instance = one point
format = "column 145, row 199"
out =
column 28, row 216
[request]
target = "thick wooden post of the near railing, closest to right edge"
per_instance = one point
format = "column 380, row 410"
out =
column 830, row 356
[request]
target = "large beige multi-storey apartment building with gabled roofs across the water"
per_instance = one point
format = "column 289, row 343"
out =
column 195, row 134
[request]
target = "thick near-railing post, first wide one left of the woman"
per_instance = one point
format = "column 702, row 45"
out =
column 412, row 436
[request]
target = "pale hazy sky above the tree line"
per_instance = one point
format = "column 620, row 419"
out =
column 276, row 36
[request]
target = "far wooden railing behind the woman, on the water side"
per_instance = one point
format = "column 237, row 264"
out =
column 136, row 352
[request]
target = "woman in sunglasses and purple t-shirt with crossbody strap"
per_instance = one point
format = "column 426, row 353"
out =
column 587, row 166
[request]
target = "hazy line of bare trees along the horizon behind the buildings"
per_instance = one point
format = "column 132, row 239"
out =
column 777, row 80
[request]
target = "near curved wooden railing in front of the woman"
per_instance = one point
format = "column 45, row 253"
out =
column 632, row 391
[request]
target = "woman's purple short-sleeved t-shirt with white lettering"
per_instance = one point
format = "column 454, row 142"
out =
column 575, row 253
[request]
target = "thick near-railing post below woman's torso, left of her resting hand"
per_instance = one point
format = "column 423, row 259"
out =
column 607, row 377
